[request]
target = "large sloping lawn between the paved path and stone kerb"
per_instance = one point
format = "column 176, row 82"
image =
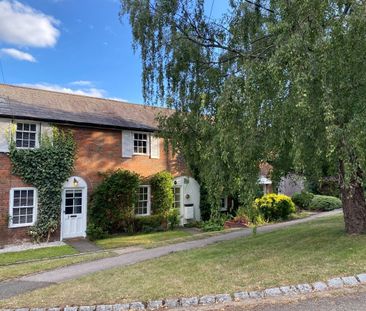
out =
column 308, row 252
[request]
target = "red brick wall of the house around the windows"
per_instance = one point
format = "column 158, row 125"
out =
column 98, row 150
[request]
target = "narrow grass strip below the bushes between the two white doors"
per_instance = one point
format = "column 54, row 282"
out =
column 143, row 239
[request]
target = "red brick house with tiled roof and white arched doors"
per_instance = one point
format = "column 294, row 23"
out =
column 109, row 135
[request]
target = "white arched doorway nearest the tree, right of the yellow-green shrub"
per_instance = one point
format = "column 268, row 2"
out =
column 190, row 193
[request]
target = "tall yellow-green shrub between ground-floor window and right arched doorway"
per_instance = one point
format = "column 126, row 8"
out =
column 162, row 194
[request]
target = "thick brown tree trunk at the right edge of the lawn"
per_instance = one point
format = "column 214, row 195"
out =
column 353, row 201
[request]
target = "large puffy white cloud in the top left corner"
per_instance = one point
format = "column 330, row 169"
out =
column 22, row 25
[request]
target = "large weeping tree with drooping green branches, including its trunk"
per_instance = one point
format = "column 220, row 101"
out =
column 269, row 80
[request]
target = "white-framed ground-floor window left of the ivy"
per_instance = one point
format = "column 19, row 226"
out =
column 23, row 207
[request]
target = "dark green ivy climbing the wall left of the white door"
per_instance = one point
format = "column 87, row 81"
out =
column 46, row 168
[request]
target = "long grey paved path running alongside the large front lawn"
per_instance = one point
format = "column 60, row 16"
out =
column 21, row 285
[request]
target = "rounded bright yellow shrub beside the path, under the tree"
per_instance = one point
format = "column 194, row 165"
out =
column 274, row 206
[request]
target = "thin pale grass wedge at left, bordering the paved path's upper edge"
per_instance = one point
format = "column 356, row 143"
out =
column 22, row 269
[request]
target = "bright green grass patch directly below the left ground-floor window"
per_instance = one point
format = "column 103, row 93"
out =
column 34, row 254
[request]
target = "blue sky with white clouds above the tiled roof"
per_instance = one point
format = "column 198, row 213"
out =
column 75, row 46
